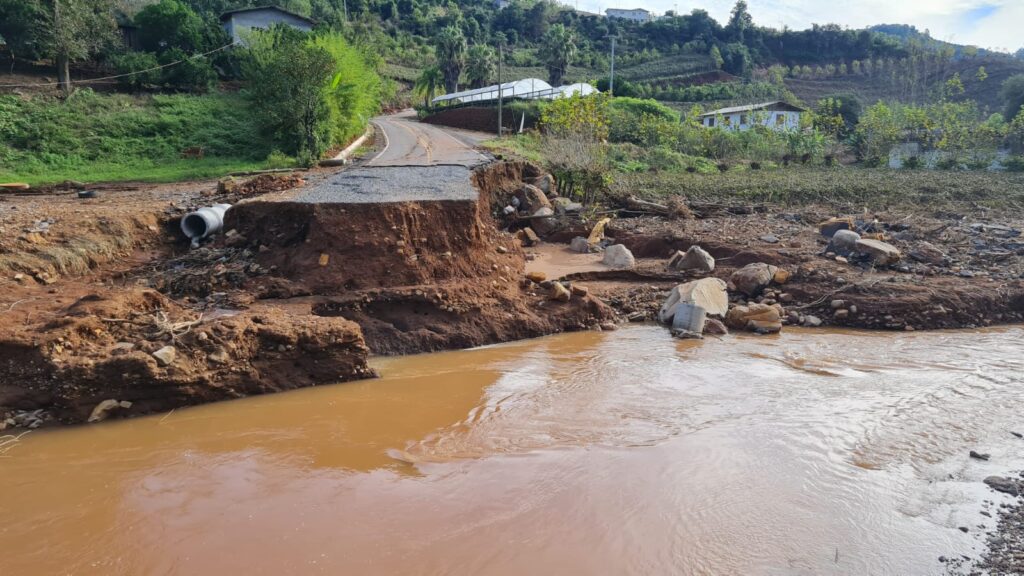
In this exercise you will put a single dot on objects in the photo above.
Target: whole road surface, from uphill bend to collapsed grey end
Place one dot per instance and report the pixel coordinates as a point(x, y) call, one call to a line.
point(418, 163)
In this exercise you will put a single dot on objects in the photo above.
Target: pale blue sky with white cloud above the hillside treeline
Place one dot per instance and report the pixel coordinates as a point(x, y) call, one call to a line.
point(990, 24)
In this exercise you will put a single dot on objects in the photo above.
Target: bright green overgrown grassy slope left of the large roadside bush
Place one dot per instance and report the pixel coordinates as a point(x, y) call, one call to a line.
point(93, 138)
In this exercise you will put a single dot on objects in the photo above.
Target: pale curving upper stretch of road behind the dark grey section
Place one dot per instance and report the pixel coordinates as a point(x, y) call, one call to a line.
point(409, 143)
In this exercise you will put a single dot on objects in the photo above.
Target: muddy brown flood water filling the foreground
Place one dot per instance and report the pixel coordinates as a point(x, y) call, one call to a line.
point(622, 452)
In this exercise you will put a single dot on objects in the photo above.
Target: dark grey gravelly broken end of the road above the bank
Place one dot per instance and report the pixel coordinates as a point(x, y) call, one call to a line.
point(393, 184)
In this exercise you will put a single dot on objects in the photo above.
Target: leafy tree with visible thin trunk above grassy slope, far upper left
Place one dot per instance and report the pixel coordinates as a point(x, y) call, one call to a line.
point(74, 30)
